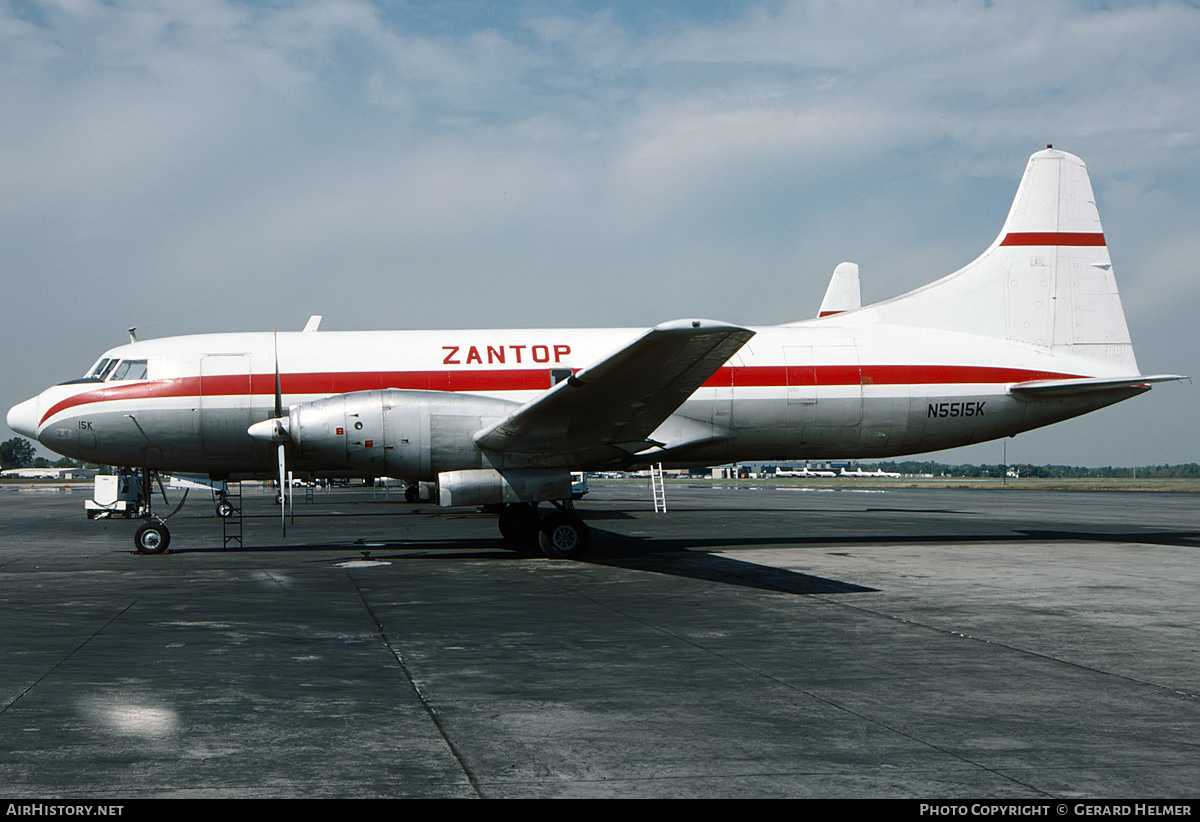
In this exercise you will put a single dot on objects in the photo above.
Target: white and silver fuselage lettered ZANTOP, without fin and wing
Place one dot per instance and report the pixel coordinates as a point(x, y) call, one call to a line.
point(808, 391)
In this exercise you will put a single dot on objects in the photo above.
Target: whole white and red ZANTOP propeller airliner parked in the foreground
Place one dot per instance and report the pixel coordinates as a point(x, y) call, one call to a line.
point(1029, 334)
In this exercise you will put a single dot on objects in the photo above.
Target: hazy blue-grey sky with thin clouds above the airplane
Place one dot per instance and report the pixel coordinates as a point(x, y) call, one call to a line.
point(233, 166)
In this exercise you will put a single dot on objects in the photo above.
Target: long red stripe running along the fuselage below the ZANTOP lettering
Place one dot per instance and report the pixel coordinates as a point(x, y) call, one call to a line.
point(537, 380)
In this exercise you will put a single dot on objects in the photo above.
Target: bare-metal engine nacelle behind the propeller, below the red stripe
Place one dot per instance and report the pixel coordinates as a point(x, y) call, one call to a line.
point(394, 433)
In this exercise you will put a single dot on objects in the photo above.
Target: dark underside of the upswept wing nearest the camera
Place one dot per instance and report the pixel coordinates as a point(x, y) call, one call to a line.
point(613, 406)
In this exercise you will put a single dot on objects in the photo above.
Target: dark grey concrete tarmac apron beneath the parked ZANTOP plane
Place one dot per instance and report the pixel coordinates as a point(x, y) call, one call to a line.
point(767, 641)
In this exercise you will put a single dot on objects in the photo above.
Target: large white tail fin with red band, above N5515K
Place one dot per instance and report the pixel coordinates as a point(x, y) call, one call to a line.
point(1046, 281)
